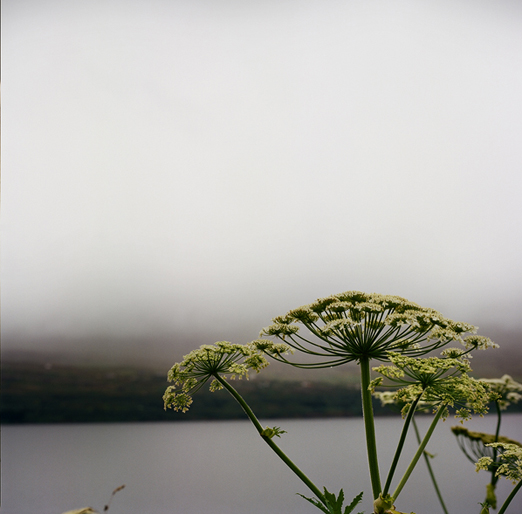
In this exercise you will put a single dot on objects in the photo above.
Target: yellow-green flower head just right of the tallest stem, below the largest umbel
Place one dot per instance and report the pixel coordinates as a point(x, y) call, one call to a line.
point(438, 381)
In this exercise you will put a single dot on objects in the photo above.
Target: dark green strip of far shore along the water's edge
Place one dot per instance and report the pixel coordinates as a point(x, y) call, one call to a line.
point(36, 393)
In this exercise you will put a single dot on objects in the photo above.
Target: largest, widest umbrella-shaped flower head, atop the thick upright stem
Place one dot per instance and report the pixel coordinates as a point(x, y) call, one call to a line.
point(354, 325)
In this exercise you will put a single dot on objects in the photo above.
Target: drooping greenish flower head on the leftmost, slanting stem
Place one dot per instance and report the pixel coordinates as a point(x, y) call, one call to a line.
point(225, 359)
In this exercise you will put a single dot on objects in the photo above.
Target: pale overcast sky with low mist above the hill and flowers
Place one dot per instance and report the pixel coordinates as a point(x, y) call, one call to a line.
point(176, 169)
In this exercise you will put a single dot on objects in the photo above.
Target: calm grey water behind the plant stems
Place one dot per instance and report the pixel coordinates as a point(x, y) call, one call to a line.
point(225, 467)
